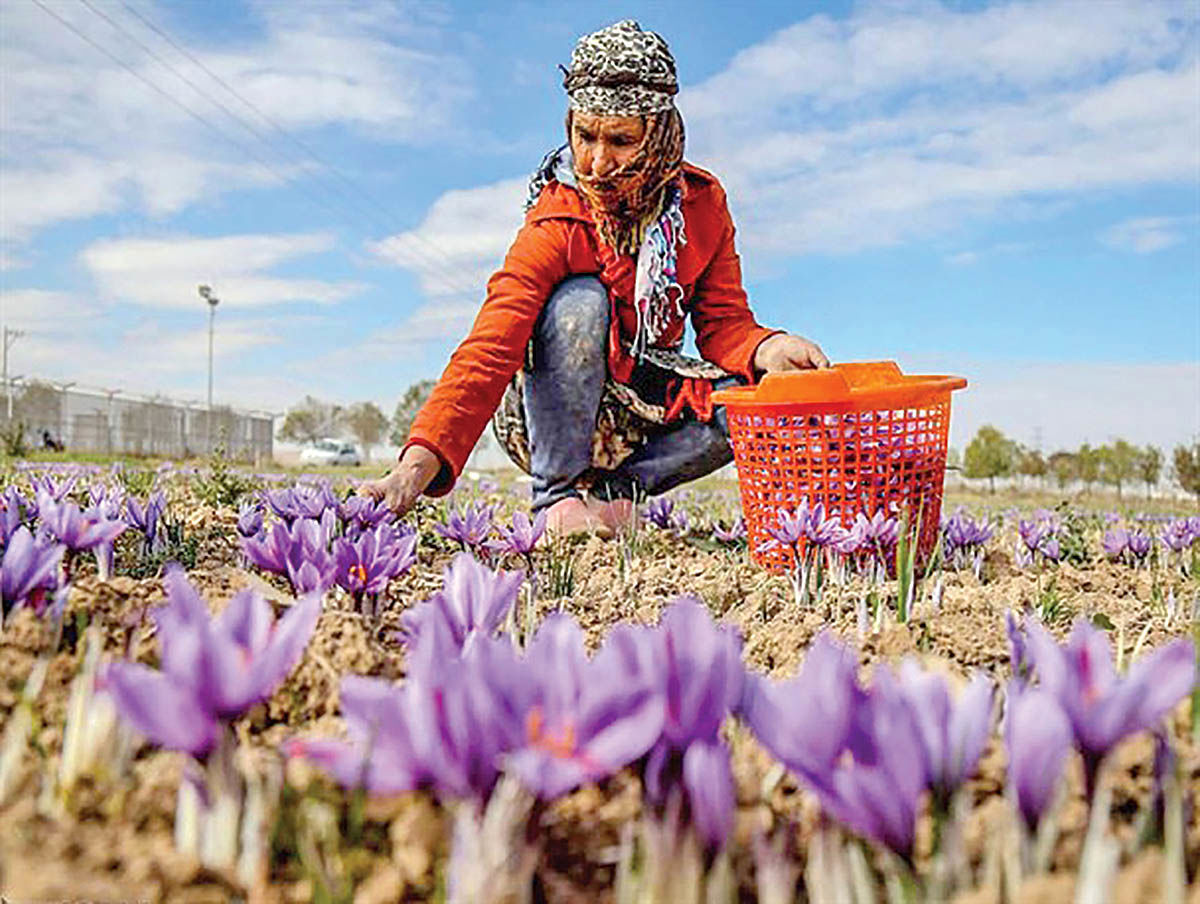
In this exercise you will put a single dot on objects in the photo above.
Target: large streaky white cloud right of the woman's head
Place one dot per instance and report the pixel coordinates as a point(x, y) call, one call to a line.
point(908, 121)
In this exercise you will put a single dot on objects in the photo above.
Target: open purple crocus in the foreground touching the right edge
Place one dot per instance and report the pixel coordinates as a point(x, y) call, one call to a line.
point(1103, 708)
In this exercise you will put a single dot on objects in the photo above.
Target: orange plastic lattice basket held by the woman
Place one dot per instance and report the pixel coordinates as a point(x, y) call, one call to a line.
point(859, 438)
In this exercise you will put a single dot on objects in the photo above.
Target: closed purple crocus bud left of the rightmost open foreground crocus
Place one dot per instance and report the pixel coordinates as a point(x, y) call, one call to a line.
point(1037, 740)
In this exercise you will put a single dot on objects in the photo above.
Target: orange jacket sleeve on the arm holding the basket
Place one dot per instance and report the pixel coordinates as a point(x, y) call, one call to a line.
point(727, 332)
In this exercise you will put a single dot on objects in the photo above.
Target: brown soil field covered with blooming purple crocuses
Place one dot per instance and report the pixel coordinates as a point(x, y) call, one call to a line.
point(274, 804)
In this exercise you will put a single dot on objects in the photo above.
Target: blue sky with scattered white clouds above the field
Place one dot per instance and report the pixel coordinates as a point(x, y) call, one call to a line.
point(1006, 191)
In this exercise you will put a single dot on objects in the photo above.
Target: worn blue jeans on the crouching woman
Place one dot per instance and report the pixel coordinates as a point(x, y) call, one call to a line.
point(562, 398)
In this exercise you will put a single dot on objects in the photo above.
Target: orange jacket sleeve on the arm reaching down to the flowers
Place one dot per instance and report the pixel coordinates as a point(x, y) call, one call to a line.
point(470, 390)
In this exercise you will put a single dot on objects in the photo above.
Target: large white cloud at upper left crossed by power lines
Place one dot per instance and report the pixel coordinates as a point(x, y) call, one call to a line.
point(105, 141)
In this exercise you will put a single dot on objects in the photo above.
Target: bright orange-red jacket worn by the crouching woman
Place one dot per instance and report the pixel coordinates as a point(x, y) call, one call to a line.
point(559, 241)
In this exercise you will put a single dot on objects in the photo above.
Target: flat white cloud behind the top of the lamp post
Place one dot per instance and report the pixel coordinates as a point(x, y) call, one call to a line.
point(165, 273)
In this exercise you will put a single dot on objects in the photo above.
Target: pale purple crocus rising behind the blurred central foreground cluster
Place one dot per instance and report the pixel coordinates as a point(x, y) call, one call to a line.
point(473, 602)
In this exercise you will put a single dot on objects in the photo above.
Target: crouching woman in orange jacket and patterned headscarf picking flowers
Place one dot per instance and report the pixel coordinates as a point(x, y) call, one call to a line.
point(575, 354)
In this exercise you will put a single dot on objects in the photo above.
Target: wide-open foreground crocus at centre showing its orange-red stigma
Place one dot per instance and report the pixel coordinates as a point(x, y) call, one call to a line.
point(585, 720)
